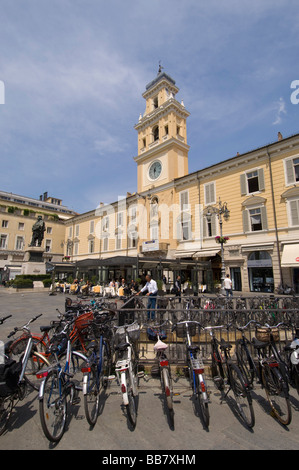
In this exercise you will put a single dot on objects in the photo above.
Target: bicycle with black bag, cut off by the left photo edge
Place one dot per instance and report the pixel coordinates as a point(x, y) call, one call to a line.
point(14, 376)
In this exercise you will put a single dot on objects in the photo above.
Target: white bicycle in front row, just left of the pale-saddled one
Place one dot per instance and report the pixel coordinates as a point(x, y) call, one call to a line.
point(126, 366)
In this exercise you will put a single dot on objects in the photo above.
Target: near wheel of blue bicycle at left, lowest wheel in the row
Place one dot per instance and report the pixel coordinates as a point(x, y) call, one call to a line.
point(53, 408)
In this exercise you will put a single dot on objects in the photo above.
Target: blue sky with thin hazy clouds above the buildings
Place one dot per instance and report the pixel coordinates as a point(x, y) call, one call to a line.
point(74, 72)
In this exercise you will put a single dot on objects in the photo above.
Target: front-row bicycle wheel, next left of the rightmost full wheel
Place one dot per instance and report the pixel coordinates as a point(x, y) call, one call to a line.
point(242, 396)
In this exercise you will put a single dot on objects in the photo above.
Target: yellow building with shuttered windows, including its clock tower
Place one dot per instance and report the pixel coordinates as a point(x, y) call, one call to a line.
point(170, 224)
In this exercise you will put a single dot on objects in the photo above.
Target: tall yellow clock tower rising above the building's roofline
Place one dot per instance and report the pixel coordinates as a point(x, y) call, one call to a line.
point(162, 135)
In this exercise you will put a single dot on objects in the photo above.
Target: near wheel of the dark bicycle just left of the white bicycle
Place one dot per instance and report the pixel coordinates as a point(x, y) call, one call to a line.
point(92, 395)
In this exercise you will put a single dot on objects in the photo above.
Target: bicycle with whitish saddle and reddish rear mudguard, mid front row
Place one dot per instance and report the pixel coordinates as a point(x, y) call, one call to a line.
point(156, 333)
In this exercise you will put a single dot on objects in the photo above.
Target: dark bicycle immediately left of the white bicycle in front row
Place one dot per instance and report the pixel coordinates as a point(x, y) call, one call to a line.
point(97, 372)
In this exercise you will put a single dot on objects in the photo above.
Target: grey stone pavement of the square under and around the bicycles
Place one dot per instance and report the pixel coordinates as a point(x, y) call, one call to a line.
point(152, 433)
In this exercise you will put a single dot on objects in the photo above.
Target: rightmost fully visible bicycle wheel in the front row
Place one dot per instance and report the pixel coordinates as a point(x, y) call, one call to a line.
point(277, 394)
